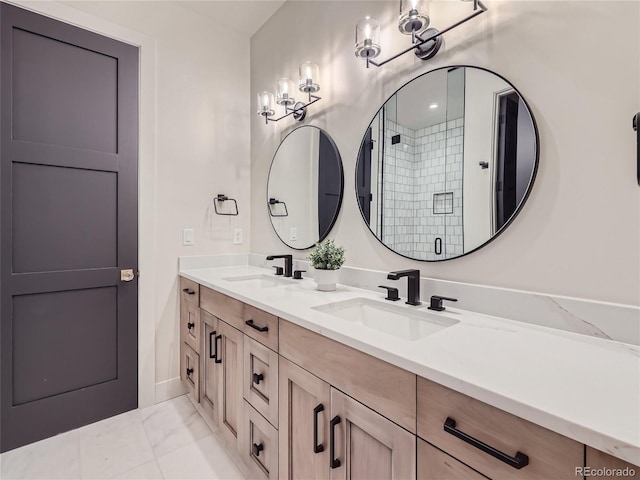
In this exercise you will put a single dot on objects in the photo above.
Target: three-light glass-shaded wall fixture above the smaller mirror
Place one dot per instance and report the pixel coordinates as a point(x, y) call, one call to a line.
point(309, 75)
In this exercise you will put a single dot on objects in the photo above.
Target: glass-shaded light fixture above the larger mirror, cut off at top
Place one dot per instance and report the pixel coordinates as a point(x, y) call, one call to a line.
point(414, 20)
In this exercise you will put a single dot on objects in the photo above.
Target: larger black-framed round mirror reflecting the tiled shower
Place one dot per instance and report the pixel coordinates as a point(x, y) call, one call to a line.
point(447, 163)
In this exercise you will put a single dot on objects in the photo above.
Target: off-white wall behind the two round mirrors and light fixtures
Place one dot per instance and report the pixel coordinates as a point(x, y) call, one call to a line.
point(578, 234)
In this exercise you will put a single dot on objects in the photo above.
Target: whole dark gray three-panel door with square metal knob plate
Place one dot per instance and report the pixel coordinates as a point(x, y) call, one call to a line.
point(68, 225)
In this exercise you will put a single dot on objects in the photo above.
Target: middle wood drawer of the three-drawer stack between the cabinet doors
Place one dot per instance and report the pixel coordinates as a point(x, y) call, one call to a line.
point(260, 379)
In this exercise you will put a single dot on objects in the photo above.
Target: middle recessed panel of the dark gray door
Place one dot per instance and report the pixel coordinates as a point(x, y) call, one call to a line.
point(51, 211)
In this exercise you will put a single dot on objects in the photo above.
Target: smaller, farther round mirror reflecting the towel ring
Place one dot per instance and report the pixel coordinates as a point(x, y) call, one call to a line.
point(304, 190)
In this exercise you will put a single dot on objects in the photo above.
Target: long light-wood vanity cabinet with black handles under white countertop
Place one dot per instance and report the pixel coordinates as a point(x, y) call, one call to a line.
point(294, 404)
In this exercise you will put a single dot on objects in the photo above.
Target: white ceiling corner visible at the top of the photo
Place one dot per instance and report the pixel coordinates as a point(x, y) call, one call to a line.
point(244, 16)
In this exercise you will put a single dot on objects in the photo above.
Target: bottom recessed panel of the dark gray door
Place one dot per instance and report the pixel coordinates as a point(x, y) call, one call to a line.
point(42, 324)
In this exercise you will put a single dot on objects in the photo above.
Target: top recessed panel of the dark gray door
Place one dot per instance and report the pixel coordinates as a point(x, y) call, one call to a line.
point(44, 85)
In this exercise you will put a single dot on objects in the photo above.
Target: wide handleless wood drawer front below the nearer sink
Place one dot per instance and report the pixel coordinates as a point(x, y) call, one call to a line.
point(383, 387)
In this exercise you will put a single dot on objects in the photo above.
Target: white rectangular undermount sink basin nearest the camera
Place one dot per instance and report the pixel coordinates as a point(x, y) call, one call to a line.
point(392, 320)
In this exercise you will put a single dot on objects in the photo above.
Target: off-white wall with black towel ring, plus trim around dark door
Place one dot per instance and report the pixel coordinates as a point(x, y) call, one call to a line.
point(199, 120)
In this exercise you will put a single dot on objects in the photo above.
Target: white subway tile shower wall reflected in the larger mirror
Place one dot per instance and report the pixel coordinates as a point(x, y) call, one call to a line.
point(424, 163)
